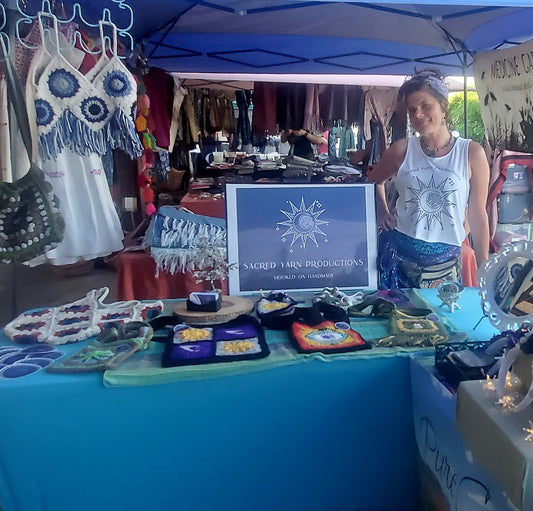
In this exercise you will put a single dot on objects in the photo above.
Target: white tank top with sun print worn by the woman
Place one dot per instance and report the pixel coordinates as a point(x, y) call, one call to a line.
point(433, 193)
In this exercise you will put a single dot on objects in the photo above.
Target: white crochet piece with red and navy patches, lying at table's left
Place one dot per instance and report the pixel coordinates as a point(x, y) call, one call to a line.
point(78, 320)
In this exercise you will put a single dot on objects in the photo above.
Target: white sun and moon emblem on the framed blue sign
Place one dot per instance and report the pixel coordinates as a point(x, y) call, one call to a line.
point(303, 223)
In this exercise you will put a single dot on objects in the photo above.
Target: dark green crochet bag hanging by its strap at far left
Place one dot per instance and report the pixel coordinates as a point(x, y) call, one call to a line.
point(30, 221)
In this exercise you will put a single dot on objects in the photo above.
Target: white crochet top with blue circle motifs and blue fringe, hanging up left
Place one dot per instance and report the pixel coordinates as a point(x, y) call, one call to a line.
point(91, 113)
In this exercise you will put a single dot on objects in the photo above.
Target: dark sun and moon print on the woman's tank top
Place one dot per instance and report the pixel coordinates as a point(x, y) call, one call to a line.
point(431, 201)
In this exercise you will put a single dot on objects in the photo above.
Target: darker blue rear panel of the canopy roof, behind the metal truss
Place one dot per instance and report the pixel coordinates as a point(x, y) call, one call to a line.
point(263, 53)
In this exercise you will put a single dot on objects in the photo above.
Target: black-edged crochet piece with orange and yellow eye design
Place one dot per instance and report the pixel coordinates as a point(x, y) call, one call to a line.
point(326, 337)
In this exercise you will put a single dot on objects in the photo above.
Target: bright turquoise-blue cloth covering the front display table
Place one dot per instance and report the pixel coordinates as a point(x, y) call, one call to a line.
point(325, 433)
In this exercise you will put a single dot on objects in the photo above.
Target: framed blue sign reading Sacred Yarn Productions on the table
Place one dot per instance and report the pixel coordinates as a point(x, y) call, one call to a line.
point(300, 237)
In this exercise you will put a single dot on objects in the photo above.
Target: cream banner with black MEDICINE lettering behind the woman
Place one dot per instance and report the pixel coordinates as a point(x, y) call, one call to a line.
point(504, 82)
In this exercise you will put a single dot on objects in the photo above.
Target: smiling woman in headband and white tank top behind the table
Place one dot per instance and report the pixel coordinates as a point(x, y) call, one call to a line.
point(442, 182)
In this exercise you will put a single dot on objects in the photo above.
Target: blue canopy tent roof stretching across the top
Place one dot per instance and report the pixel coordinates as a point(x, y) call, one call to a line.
point(297, 36)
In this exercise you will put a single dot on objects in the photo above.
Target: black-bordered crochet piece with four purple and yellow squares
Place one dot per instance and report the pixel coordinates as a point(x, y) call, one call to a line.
point(242, 338)
